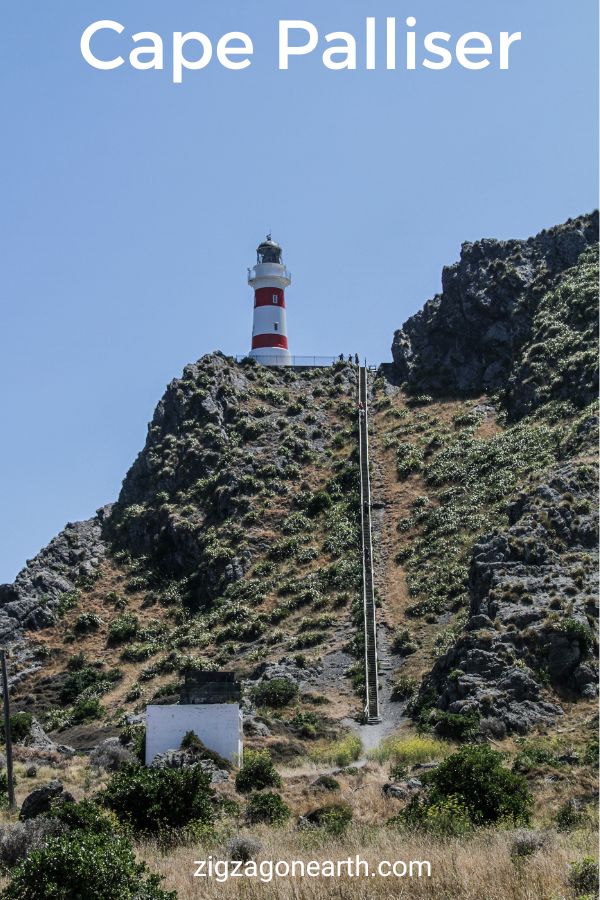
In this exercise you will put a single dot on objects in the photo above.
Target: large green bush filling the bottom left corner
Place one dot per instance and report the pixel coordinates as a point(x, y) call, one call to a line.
point(86, 866)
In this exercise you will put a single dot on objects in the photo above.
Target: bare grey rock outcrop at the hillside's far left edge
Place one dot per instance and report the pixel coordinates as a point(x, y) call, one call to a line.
point(31, 602)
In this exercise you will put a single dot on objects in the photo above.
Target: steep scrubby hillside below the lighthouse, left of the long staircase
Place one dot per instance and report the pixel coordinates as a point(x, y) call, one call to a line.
point(234, 543)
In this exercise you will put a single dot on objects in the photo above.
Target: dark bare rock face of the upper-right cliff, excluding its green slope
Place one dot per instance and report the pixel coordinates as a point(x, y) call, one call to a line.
point(471, 337)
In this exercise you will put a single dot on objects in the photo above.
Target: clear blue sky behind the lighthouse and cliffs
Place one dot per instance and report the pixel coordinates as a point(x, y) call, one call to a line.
point(131, 207)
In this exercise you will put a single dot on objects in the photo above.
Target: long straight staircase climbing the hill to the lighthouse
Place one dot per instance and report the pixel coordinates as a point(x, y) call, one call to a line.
point(372, 687)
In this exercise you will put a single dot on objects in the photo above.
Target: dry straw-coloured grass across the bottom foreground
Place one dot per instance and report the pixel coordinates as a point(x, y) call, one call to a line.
point(477, 868)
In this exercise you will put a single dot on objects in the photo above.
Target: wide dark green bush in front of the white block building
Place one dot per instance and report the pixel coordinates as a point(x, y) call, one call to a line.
point(151, 800)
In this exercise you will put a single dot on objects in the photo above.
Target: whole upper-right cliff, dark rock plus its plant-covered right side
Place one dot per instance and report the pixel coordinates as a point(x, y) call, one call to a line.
point(506, 309)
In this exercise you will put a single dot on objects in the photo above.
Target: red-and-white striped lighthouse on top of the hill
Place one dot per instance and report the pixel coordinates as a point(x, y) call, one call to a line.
point(269, 279)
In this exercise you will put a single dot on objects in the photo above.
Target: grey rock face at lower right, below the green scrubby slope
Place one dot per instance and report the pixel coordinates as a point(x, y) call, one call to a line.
point(534, 591)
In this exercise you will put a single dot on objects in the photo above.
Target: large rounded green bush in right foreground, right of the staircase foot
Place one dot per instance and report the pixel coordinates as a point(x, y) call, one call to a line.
point(475, 778)
